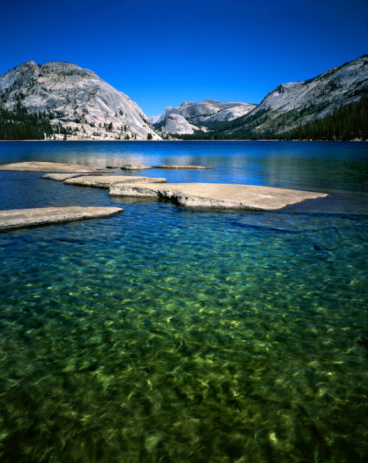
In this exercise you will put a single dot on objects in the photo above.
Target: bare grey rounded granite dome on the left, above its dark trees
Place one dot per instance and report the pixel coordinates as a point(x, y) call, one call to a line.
point(76, 100)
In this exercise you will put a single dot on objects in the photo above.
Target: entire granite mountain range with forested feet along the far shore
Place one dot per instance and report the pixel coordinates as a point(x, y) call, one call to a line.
point(63, 101)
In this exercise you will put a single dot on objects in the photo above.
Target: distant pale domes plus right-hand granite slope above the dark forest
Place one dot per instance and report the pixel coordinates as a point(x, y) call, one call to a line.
point(287, 107)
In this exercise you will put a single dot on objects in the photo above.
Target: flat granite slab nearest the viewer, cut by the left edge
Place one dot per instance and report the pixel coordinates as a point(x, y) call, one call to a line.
point(19, 218)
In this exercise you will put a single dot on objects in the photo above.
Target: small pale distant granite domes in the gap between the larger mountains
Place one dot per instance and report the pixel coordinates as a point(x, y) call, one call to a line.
point(196, 116)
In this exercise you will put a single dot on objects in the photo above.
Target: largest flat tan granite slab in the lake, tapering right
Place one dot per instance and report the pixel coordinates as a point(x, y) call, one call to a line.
point(219, 196)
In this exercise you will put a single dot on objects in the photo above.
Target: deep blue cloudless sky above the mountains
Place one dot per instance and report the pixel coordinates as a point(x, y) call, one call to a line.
point(161, 53)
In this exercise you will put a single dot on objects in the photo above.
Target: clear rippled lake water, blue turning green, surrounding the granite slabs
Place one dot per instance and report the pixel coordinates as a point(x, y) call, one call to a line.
point(175, 335)
